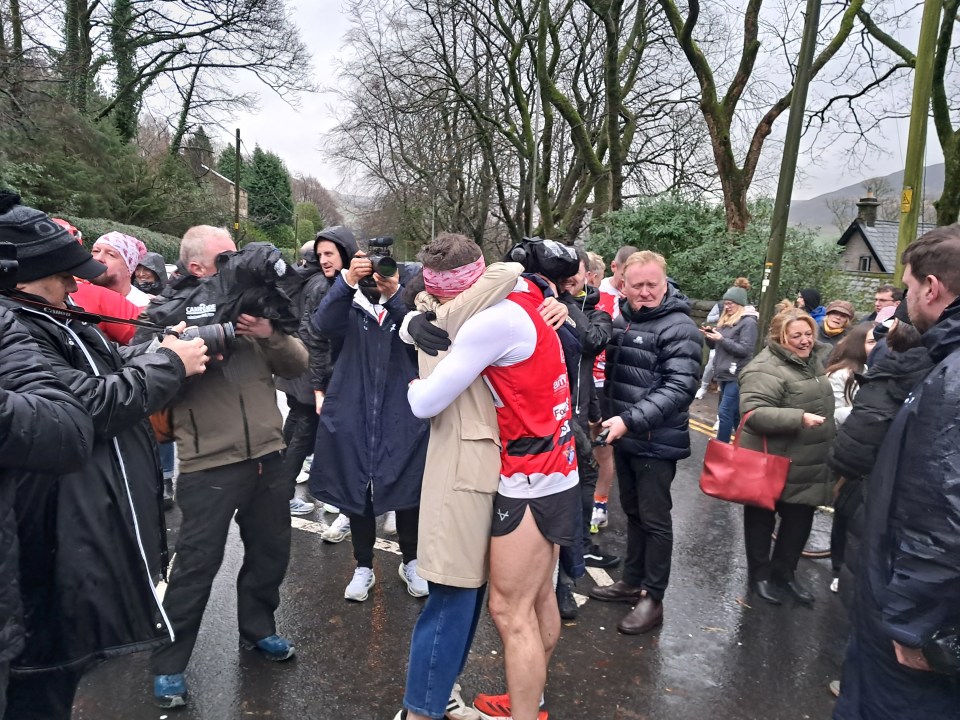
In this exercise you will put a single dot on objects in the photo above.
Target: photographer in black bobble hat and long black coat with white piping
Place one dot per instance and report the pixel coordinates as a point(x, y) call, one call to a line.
point(92, 539)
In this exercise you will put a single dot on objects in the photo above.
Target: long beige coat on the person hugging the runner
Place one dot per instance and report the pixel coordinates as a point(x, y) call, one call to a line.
point(462, 470)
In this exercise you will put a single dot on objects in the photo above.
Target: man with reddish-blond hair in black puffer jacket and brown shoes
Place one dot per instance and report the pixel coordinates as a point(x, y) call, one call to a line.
point(652, 374)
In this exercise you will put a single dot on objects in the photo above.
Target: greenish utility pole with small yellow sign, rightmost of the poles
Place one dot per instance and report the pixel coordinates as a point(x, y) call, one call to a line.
point(911, 199)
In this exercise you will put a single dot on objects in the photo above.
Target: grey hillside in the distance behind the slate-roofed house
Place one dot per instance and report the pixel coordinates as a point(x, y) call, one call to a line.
point(819, 211)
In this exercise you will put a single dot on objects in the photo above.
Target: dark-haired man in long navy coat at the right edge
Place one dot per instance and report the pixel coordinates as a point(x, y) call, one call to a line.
point(903, 658)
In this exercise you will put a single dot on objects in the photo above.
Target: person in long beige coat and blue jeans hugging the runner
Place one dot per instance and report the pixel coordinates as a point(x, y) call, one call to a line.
point(460, 481)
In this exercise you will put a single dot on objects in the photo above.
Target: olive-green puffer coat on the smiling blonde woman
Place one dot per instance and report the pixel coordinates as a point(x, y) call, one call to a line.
point(780, 387)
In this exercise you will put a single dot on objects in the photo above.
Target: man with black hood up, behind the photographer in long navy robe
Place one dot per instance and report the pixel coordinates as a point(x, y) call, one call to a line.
point(329, 253)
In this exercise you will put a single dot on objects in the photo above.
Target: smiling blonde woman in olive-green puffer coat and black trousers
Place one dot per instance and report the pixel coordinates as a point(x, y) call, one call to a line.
point(787, 401)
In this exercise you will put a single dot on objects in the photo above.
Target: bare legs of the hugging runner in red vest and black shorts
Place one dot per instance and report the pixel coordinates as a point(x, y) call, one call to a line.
point(521, 568)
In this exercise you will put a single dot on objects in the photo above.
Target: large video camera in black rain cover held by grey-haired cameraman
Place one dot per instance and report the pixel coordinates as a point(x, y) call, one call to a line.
point(254, 280)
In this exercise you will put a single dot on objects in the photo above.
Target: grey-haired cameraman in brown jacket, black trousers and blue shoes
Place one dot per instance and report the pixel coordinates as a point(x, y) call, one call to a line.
point(229, 438)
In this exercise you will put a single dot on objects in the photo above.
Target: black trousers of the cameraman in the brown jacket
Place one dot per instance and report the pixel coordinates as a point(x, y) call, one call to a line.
point(260, 495)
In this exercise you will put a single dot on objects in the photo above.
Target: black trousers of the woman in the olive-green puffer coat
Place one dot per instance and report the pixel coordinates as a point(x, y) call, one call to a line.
point(758, 525)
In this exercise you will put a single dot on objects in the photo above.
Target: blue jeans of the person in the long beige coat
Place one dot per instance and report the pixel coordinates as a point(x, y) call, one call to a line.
point(440, 646)
